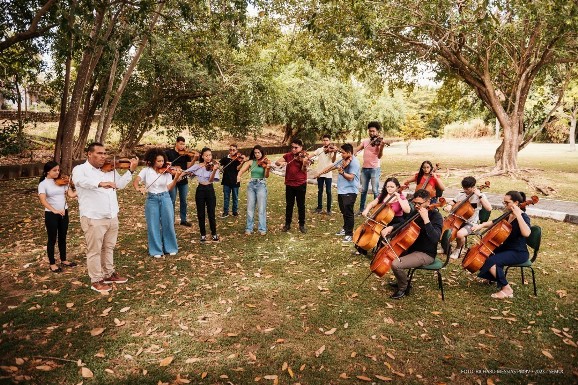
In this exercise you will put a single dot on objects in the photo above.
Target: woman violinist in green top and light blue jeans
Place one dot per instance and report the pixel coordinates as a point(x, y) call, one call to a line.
point(258, 167)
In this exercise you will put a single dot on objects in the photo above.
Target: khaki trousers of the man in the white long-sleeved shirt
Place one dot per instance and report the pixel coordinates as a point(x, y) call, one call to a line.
point(100, 235)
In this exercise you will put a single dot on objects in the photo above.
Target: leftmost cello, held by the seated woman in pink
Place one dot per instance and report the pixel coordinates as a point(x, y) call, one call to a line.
point(368, 233)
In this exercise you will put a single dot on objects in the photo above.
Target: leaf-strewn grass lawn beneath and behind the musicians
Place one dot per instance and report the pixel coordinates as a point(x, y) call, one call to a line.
point(283, 308)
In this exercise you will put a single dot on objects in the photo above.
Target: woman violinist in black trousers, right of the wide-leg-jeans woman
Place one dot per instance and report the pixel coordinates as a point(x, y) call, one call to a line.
point(206, 172)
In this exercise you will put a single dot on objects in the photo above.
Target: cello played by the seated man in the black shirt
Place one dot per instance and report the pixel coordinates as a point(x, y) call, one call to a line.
point(403, 238)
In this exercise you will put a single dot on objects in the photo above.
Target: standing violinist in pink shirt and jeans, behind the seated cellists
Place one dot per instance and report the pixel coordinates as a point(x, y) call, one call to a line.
point(372, 152)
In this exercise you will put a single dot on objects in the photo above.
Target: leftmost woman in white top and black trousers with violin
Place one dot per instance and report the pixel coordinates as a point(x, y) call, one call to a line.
point(53, 198)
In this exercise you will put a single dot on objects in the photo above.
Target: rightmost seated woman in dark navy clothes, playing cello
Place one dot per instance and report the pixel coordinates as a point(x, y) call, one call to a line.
point(513, 250)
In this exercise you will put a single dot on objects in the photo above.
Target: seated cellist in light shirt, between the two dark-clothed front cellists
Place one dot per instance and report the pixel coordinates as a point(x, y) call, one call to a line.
point(478, 200)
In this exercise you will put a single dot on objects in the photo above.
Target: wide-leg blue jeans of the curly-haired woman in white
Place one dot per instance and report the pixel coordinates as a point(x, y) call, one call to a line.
point(160, 217)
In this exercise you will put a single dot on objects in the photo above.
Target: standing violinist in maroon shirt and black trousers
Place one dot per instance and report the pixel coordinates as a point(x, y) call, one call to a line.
point(296, 163)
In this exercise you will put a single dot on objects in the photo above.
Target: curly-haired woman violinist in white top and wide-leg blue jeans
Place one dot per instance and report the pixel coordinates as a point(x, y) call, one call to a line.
point(159, 210)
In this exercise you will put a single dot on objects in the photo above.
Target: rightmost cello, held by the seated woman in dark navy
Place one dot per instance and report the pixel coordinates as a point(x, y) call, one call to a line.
point(491, 239)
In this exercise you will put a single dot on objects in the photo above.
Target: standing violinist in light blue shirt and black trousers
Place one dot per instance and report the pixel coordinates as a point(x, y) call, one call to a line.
point(347, 187)
